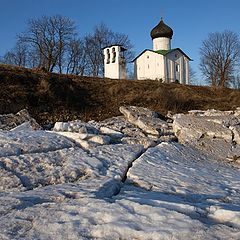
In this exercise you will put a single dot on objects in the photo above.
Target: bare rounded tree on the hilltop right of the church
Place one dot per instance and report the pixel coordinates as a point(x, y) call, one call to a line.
point(220, 54)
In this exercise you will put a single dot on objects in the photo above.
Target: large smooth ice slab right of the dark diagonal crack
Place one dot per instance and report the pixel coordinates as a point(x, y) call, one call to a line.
point(186, 185)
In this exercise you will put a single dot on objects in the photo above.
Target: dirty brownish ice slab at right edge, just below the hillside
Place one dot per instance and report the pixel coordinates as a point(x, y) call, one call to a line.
point(213, 132)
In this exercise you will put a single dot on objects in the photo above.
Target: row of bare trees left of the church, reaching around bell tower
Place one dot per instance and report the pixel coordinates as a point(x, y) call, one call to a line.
point(54, 44)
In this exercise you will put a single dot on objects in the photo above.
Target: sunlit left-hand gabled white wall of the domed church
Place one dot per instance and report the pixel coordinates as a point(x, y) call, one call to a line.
point(150, 65)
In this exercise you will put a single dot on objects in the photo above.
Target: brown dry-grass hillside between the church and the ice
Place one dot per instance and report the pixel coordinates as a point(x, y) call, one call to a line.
point(53, 97)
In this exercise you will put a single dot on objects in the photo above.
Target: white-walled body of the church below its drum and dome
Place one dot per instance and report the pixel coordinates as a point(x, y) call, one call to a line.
point(170, 67)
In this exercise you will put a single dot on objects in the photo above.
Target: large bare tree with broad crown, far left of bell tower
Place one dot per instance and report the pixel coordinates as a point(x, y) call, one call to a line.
point(48, 38)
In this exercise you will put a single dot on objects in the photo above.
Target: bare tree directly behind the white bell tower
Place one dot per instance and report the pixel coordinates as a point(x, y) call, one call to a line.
point(94, 44)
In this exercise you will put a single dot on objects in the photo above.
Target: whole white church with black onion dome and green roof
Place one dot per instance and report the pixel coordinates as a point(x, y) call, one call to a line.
point(162, 63)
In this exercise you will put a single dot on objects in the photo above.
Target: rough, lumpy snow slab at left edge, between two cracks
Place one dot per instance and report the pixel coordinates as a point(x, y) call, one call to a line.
point(41, 169)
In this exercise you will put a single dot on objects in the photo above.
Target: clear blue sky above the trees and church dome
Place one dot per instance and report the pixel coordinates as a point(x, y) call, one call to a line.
point(191, 20)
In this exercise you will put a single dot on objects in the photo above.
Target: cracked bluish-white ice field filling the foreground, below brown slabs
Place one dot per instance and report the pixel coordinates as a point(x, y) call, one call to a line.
point(70, 184)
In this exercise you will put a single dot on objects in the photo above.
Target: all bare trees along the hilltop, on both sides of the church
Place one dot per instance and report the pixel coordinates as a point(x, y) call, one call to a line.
point(53, 43)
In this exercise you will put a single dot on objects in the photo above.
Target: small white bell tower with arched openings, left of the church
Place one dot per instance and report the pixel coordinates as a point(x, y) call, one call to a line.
point(114, 62)
